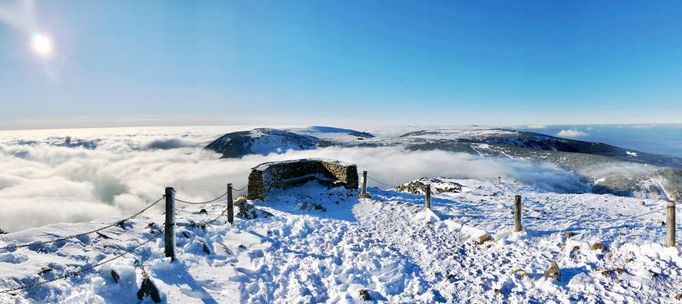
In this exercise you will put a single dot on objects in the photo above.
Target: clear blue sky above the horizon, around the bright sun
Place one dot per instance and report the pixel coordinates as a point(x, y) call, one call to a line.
point(344, 63)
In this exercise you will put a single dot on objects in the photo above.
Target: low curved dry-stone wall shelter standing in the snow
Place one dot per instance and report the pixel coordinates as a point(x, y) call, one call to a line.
point(284, 174)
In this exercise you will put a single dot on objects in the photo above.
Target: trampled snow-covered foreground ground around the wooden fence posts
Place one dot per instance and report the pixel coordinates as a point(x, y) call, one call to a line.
point(324, 245)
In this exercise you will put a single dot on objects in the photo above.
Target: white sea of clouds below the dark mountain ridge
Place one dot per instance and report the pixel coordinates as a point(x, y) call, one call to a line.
point(56, 176)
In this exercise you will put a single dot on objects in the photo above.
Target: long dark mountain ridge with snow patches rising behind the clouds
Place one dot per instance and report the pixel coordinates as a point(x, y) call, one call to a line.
point(608, 169)
